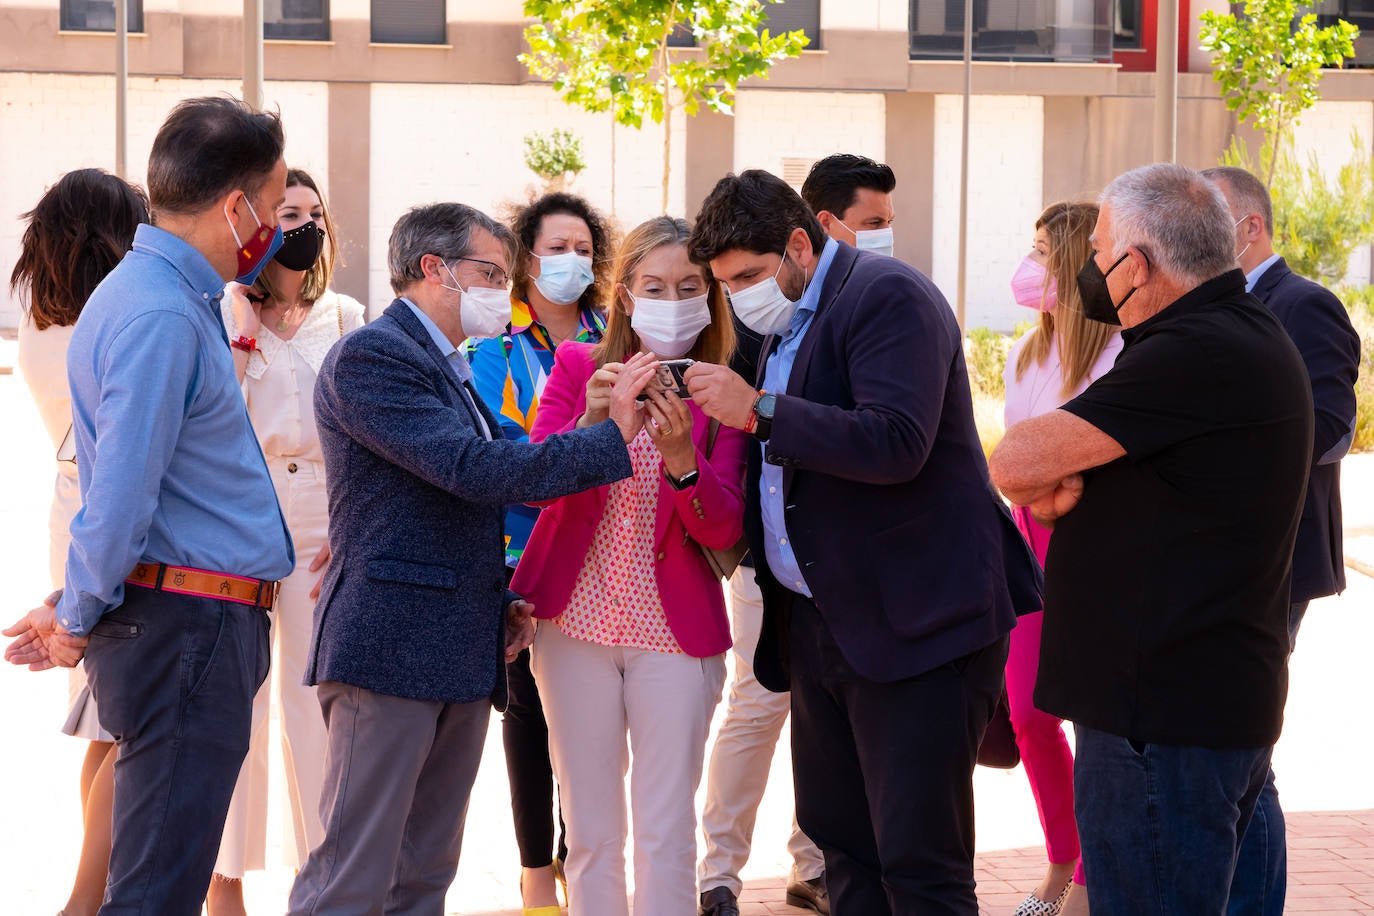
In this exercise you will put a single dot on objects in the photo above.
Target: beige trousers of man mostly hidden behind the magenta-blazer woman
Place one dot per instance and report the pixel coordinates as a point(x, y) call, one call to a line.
point(743, 756)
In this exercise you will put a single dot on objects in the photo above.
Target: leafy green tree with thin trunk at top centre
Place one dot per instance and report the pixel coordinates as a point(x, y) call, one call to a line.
point(613, 56)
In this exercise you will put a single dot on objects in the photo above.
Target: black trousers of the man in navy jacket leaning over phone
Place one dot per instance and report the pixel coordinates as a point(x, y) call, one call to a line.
point(884, 774)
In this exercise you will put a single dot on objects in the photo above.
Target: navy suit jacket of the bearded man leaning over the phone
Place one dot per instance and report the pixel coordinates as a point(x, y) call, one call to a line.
point(910, 556)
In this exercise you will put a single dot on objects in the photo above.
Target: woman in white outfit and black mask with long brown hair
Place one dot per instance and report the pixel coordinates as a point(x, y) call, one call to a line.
point(281, 329)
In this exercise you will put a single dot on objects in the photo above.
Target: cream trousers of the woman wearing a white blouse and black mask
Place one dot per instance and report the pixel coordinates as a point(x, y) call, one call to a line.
point(304, 740)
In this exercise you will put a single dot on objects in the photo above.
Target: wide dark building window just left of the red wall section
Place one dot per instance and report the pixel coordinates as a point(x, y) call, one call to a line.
point(1077, 31)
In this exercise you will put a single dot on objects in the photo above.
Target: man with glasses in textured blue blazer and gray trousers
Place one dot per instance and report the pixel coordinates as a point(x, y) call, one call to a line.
point(414, 623)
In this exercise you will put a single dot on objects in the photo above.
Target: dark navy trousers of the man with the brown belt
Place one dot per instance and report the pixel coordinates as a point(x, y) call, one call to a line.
point(174, 679)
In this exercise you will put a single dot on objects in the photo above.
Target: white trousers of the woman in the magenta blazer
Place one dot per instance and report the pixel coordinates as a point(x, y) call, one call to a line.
point(593, 696)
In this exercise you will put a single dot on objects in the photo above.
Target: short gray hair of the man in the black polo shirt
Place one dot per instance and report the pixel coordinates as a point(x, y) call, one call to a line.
point(1177, 218)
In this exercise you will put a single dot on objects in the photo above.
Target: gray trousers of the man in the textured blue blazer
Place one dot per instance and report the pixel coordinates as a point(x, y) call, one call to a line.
point(398, 779)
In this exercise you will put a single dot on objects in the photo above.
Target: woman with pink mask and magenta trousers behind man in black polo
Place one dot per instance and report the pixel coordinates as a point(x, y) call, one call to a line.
point(1048, 367)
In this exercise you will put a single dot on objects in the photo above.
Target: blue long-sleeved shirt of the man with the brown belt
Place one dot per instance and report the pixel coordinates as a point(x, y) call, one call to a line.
point(170, 468)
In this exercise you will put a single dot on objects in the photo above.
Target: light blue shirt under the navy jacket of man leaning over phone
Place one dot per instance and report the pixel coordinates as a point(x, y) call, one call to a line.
point(782, 562)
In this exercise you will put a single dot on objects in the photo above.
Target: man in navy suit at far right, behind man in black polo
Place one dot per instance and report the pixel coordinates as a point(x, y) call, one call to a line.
point(1331, 350)
